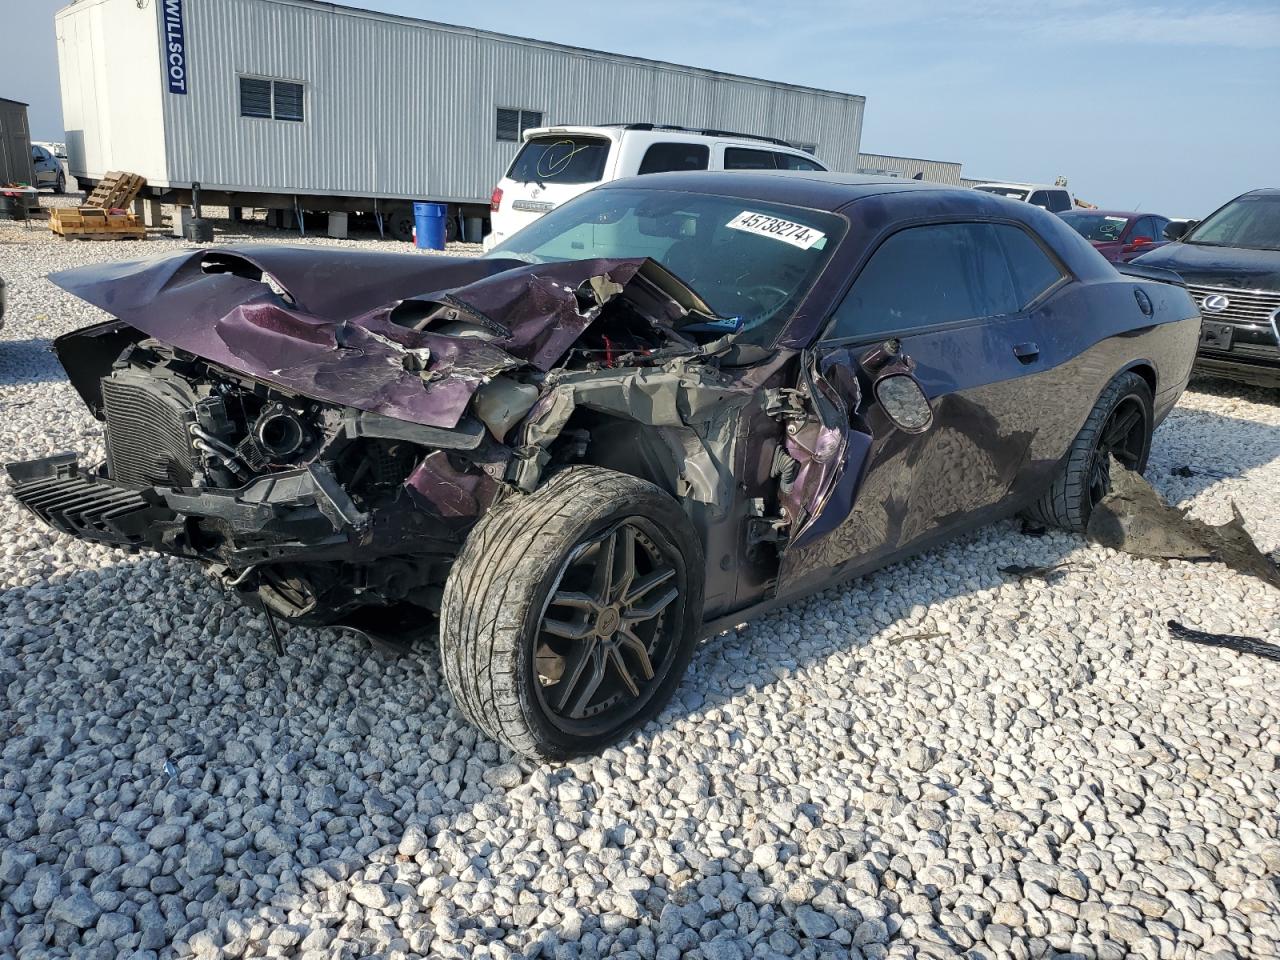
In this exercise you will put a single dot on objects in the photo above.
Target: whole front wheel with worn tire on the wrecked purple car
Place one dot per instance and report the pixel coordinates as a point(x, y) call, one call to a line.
point(570, 616)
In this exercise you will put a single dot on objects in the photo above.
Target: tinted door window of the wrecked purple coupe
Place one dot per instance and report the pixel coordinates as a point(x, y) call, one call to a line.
point(929, 276)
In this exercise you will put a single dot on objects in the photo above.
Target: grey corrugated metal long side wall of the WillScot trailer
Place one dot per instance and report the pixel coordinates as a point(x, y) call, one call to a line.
point(406, 109)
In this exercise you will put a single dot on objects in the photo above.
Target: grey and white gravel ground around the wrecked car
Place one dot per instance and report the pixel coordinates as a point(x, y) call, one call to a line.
point(935, 761)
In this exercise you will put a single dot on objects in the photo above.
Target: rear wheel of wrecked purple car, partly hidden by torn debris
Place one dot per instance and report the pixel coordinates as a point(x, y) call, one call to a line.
point(1121, 426)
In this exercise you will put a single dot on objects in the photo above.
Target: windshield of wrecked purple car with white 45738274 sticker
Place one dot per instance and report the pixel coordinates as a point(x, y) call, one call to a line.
point(752, 262)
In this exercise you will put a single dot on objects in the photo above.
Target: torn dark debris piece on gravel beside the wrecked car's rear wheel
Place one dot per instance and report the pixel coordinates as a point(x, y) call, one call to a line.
point(1137, 520)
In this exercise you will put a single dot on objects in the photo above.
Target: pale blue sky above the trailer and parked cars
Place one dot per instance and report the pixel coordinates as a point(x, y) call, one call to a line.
point(1173, 106)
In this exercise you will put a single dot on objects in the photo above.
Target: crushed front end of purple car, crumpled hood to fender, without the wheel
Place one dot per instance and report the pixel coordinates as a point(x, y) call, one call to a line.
point(414, 418)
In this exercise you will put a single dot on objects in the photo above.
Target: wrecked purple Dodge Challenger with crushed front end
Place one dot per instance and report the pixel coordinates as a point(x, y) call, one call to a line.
point(661, 409)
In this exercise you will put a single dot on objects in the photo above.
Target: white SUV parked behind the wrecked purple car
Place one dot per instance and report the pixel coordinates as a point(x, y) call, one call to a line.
point(559, 163)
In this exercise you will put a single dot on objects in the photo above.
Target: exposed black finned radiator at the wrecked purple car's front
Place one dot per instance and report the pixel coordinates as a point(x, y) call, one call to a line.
point(148, 442)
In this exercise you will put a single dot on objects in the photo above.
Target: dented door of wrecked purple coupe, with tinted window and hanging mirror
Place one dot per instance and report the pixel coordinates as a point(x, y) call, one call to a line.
point(938, 314)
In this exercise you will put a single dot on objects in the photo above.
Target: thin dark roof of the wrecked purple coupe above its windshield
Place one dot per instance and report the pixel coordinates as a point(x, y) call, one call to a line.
point(819, 190)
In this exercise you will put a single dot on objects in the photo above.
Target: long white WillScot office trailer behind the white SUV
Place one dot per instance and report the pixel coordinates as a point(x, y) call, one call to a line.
point(304, 106)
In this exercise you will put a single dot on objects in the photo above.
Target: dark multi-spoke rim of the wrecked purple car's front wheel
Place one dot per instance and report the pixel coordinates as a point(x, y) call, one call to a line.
point(602, 633)
